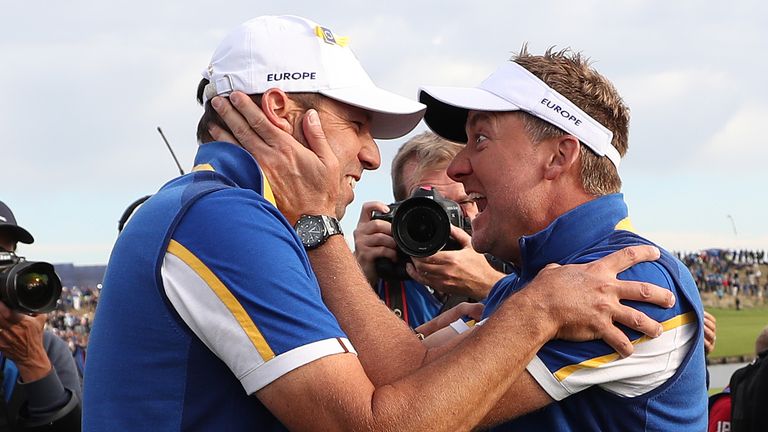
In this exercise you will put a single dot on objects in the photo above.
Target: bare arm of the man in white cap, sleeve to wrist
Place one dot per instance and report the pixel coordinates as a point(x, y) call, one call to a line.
point(452, 393)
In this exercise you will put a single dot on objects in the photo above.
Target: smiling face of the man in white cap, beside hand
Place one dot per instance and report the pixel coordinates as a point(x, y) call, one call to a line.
point(348, 132)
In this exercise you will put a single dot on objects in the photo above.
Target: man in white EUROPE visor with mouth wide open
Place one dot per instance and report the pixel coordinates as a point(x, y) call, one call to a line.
point(544, 136)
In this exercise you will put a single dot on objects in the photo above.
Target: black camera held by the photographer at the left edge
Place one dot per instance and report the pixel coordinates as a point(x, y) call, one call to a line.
point(28, 286)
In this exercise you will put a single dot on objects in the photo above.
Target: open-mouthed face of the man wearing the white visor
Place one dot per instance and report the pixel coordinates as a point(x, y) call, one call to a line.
point(502, 166)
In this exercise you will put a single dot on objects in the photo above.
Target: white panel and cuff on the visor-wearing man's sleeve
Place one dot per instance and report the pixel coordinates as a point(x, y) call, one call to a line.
point(653, 362)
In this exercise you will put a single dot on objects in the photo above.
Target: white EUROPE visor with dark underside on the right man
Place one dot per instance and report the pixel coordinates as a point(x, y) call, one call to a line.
point(513, 88)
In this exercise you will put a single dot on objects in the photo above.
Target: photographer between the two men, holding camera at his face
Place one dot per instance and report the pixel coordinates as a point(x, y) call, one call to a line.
point(436, 282)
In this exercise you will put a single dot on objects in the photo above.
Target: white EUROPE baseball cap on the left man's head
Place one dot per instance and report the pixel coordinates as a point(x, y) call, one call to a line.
point(297, 55)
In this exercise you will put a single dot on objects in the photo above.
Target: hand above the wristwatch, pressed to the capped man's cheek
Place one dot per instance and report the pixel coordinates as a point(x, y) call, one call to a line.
point(304, 179)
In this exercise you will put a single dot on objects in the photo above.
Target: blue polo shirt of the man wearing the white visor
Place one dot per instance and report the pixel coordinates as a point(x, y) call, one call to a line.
point(661, 387)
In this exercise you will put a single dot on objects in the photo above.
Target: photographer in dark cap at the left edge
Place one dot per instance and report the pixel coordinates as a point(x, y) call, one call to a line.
point(40, 385)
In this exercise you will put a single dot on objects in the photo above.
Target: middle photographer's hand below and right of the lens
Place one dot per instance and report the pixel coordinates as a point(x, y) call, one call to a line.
point(463, 271)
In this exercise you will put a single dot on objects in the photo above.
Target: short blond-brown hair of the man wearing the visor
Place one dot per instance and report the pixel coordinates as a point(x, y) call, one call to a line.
point(571, 75)
